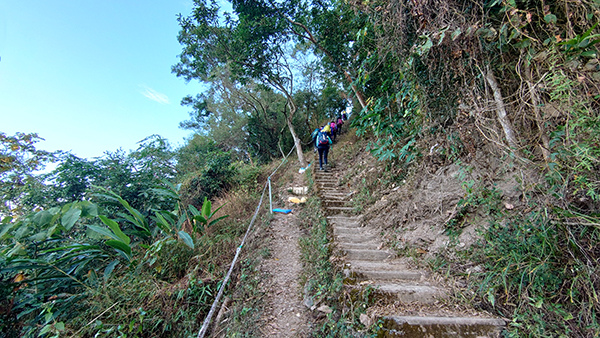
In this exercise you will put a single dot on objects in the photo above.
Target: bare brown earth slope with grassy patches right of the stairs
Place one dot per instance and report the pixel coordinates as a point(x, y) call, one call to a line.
point(473, 227)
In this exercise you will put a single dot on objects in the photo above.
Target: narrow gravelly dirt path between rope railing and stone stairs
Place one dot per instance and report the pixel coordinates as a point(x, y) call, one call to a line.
point(287, 316)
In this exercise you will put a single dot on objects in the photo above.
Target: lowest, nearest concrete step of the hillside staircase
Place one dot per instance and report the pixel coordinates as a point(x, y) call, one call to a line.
point(412, 326)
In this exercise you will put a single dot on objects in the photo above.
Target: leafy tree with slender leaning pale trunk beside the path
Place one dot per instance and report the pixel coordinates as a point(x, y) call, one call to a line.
point(252, 41)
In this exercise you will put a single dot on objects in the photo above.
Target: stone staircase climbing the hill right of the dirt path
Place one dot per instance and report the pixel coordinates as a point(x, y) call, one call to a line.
point(367, 262)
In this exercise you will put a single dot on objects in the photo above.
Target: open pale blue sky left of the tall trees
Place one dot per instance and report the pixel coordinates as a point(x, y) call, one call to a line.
point(91, 76)
